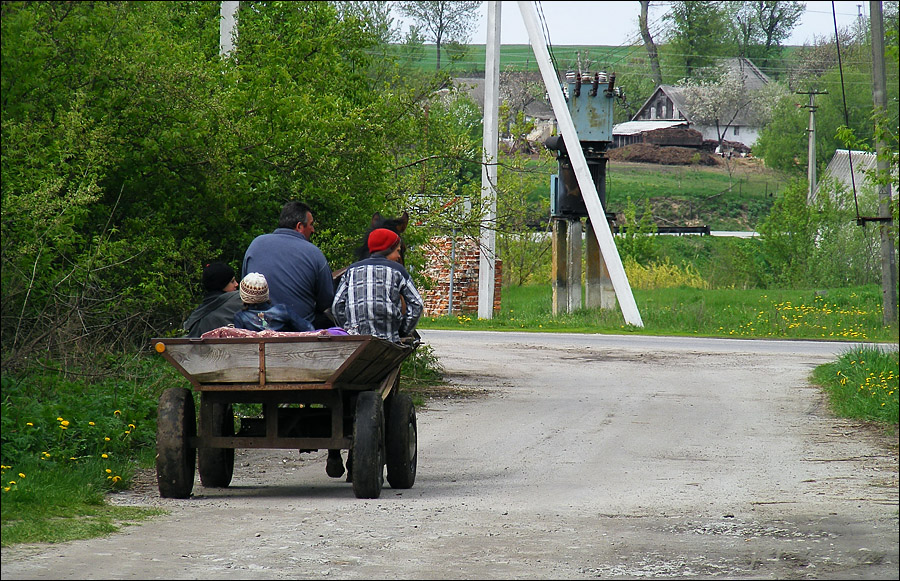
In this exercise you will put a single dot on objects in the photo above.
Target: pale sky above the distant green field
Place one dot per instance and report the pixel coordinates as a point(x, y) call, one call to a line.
point(616, 23)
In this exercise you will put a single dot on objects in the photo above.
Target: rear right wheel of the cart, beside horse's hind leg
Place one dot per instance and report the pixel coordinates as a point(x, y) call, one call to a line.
point(367, 448)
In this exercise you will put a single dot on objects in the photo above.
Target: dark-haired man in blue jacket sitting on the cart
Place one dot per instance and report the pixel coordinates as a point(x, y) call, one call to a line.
point(296, 270)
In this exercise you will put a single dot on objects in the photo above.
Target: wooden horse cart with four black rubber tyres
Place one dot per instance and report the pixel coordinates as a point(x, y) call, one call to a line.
point(317, 391)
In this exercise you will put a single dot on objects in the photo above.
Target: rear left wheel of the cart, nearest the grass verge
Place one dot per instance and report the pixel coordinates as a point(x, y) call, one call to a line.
point(176, 425)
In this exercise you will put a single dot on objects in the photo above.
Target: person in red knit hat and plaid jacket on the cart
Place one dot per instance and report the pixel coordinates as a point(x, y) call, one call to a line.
point(369, 299)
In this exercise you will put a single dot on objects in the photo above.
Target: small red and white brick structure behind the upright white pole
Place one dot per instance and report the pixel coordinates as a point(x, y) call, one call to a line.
point(465, 276)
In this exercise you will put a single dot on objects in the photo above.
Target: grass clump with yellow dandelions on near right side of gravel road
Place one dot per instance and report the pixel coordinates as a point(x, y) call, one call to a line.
point(863, 383)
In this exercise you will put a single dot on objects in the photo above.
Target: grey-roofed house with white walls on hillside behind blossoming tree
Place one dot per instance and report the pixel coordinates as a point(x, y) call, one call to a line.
point(668, 104)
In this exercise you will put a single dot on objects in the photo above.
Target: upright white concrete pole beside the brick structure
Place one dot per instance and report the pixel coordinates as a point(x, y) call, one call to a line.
point(491, 133)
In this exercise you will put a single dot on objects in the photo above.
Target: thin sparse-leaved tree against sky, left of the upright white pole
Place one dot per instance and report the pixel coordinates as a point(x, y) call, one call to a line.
point(442, 20)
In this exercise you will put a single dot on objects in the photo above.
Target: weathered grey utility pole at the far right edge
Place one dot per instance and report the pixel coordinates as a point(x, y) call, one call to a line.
point(885, 225)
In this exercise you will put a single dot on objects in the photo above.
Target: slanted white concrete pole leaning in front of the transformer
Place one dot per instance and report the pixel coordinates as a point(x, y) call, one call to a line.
point(595, 209)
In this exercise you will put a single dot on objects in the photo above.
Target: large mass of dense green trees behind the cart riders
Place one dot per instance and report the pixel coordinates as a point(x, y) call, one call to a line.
point(133, 153)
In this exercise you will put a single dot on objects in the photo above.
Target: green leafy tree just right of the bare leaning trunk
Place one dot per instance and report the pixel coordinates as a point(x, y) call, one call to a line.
point(700, 31)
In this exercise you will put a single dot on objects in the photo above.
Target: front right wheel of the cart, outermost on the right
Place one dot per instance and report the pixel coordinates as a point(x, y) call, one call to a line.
point(402, 450)
